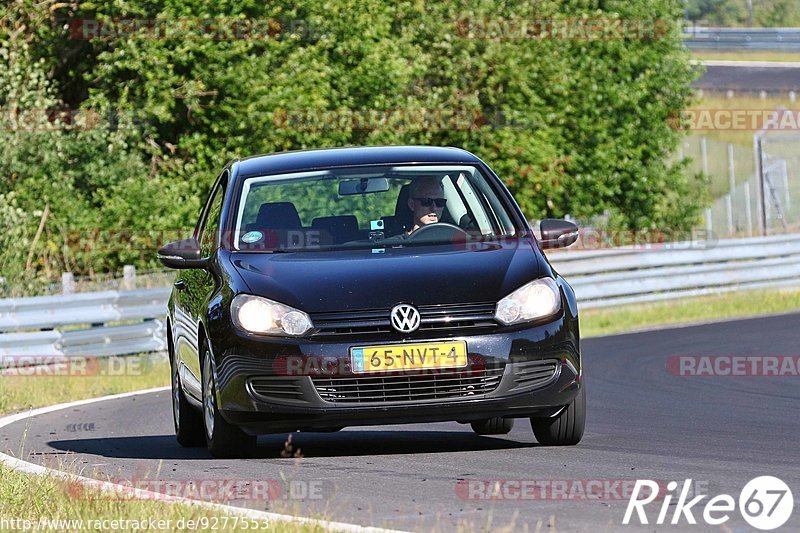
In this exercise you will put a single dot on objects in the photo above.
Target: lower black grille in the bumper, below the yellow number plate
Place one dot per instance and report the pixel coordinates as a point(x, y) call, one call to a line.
point(387, 388)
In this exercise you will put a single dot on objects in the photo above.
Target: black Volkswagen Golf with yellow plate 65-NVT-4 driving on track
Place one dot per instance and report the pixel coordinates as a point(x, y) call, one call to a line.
point(365, 286)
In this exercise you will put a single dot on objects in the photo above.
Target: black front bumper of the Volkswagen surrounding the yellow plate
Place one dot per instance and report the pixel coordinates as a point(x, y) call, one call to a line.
point(262, 391)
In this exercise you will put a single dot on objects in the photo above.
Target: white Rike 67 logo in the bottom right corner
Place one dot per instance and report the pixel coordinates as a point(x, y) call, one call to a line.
point(765, 503)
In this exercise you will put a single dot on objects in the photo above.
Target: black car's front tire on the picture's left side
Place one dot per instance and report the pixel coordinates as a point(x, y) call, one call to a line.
point(223, 440)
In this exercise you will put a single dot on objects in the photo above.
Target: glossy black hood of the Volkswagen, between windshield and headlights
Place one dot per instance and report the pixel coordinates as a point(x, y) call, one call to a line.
point(325, 281)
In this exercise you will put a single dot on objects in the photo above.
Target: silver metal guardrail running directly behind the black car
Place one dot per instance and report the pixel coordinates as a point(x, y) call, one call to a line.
point(45, 326)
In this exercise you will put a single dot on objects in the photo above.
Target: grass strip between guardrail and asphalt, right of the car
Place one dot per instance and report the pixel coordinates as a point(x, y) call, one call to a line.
point(597, 322)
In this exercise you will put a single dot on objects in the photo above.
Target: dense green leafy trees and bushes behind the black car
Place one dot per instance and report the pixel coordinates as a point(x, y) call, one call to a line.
point(573, 126)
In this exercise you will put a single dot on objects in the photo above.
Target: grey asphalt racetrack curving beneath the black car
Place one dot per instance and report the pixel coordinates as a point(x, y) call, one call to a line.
point(643, 423)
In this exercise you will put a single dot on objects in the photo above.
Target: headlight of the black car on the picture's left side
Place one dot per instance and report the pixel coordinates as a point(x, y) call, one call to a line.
point(265, 317)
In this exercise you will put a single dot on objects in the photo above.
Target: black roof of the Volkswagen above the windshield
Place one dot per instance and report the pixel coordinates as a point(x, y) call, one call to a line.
point(343, 157)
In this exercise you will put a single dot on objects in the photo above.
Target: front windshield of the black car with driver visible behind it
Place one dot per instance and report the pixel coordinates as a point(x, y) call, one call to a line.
point(369, 207)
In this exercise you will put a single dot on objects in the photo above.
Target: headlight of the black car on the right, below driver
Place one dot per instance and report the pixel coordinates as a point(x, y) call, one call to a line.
point(537, 299)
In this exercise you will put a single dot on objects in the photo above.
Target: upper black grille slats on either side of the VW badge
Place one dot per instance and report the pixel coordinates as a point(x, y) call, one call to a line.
point(432, 318)
